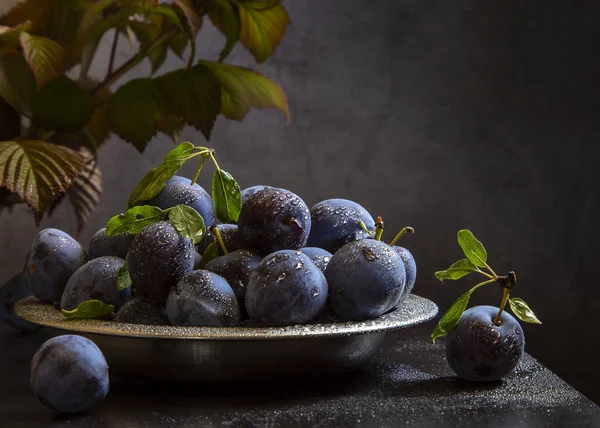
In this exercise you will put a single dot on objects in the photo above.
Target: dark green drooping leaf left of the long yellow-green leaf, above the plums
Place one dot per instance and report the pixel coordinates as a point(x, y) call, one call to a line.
point(137, 111)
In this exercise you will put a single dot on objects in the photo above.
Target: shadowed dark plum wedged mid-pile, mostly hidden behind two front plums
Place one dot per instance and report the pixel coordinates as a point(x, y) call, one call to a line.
point(236, 268)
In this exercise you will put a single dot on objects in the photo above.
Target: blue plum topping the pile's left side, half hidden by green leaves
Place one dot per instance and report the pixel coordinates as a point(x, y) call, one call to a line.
point(178, 191)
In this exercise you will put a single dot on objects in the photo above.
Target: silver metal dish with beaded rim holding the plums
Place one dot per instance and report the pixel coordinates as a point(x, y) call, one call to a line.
point(232, 353)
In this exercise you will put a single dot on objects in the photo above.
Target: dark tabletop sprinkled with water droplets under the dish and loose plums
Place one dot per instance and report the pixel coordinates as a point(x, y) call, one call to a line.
point(407, 384)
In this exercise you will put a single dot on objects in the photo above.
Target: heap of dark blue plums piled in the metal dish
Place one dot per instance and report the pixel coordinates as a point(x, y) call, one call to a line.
point(281, 264)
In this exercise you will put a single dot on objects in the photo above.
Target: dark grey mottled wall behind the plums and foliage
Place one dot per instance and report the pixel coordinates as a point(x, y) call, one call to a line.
point(436, 114)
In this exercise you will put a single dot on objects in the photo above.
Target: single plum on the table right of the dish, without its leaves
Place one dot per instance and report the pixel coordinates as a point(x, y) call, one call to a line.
point(478, 350)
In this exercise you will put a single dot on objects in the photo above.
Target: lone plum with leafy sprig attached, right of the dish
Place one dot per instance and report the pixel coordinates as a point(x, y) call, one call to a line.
point(484, 343)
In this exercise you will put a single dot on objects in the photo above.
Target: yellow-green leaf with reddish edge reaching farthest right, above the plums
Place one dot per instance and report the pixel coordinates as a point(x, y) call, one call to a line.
point(243, 89)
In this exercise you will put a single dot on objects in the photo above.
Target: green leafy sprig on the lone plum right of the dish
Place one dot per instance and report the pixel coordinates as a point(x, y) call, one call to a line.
point(476, 262)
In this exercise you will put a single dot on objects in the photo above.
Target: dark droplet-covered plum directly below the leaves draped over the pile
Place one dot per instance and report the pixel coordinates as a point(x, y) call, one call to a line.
point(158, 258)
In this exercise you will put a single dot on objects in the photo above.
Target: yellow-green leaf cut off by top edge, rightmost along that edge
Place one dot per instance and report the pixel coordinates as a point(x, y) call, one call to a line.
point(262, 27)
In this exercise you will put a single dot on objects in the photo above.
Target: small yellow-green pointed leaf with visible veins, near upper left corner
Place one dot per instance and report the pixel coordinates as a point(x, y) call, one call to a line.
point(45, 57)
